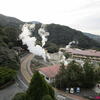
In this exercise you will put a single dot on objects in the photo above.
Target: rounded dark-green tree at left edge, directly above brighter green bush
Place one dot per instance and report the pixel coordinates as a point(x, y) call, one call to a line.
point(8, 58)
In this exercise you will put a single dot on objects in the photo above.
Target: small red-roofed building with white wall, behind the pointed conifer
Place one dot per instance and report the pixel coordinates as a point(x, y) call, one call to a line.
point(50, 72)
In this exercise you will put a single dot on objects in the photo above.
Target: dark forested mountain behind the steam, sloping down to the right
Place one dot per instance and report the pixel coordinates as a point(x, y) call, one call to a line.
point(62, 35)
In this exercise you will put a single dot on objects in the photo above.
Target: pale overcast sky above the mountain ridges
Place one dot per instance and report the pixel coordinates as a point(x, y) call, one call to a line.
point(82, 15)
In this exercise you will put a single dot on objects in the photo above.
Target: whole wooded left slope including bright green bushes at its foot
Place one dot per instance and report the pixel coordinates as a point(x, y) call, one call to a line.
point(9, 60)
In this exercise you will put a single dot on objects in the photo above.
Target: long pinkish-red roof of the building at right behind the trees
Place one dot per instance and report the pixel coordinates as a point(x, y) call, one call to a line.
point(84, 52)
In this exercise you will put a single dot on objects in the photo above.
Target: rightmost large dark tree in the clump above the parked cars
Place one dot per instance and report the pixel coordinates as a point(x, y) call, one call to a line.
point(89, 75)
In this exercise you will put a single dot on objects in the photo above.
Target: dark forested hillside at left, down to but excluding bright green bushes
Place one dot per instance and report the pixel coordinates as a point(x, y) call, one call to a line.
point(9, 31)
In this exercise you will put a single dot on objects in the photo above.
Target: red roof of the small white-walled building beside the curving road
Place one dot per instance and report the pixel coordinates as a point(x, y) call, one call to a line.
point(50, 71)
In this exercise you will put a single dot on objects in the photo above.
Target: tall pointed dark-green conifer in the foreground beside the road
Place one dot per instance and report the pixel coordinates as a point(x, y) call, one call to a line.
point(38, 86)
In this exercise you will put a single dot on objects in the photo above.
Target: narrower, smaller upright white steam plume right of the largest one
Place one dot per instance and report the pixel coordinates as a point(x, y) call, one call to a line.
point(43, 34)
